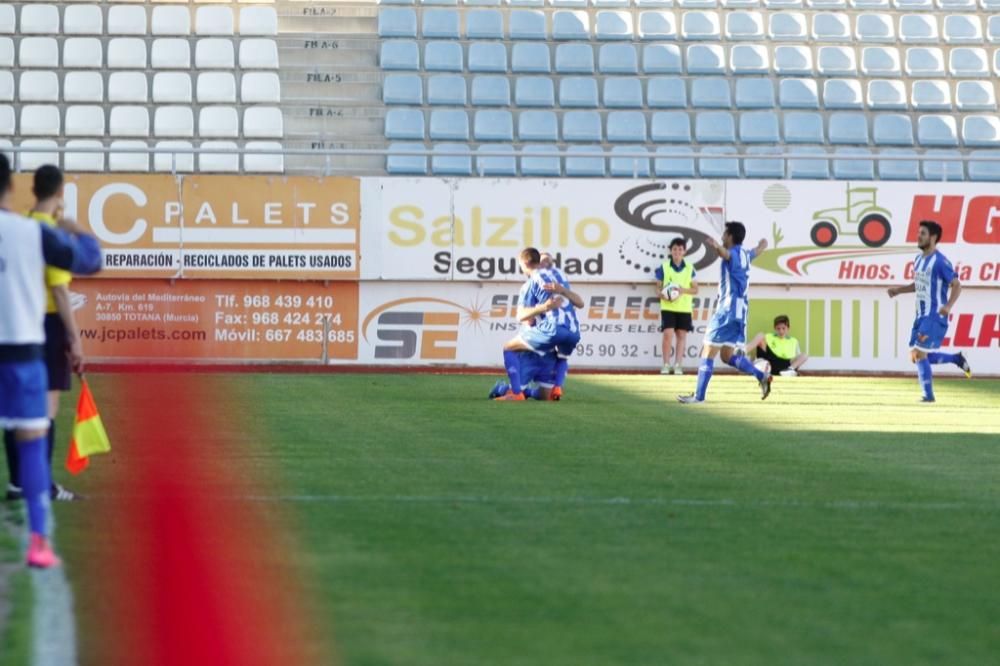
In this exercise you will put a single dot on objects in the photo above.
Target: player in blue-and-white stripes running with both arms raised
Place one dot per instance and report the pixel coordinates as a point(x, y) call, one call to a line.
point(726, 333)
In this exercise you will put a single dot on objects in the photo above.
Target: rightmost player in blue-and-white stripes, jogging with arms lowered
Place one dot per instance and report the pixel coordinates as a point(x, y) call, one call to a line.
point(937, 288)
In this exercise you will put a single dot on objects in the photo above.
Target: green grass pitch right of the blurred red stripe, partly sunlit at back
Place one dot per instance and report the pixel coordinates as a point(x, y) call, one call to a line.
point(839, 522)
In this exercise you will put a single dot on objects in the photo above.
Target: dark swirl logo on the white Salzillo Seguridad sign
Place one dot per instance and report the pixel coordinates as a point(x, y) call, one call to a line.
point(668, 211)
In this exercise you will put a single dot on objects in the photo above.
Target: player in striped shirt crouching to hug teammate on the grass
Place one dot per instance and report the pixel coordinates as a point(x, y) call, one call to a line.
point(555, 323)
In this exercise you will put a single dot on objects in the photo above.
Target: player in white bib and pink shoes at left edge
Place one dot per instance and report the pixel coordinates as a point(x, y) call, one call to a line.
point(26, 247)
